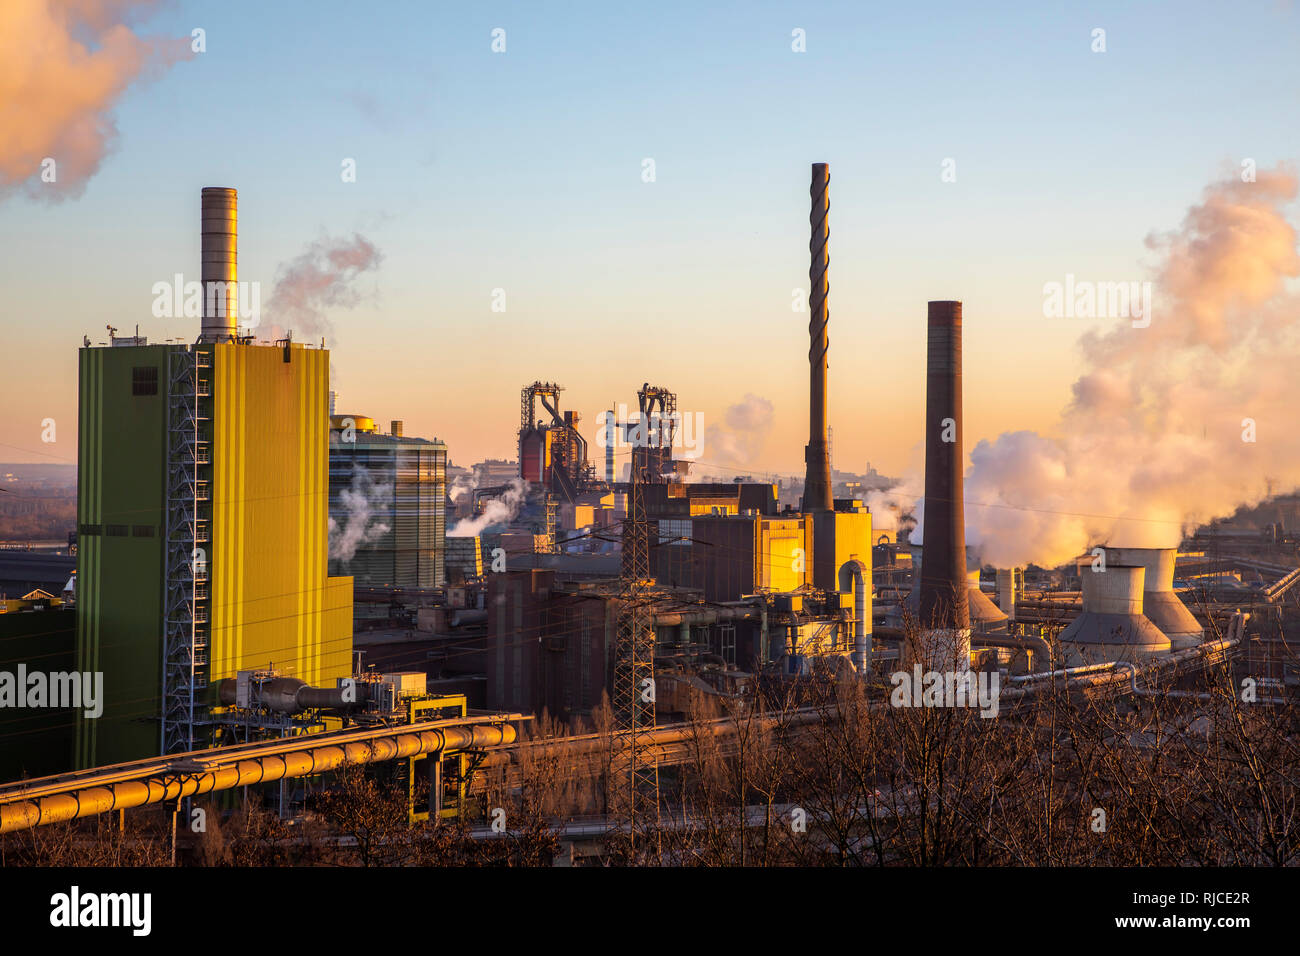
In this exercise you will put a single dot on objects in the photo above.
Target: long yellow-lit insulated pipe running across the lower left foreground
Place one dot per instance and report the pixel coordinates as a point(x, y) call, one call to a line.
point(189, 778)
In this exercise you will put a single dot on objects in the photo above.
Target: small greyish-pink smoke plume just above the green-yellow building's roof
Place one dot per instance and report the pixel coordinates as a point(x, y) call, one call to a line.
point(322, 276)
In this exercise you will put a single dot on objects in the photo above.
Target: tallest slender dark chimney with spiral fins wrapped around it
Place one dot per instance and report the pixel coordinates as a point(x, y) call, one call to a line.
point(817, 482)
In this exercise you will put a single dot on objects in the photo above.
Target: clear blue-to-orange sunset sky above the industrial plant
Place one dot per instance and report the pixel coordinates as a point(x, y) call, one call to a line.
point(525, 171)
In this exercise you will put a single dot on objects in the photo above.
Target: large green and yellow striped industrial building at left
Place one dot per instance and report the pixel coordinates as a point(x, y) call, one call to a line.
point(257, 591)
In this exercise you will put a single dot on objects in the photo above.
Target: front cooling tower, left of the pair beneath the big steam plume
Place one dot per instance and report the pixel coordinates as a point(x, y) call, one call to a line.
point(1112, 626)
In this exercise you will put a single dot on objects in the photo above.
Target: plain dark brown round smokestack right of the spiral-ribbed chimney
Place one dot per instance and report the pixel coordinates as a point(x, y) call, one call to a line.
point(943, 603)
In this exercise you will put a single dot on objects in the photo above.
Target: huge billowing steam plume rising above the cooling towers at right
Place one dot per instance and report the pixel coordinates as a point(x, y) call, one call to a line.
point(1175, 425)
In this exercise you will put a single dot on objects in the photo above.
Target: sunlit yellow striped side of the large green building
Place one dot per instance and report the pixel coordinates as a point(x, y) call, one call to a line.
point(272, 603)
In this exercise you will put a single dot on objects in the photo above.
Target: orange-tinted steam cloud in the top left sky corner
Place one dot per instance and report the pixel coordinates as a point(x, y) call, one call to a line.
point(67, 63)
